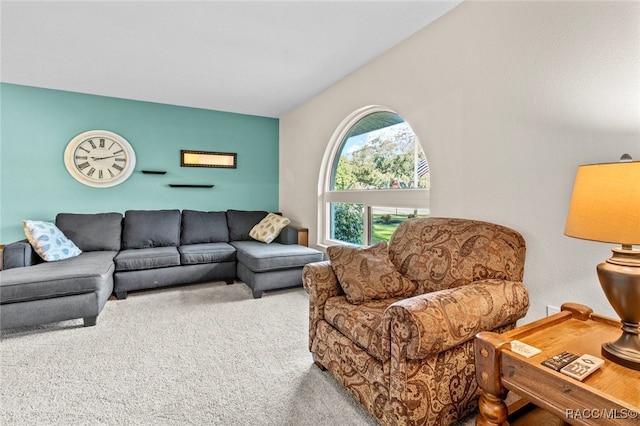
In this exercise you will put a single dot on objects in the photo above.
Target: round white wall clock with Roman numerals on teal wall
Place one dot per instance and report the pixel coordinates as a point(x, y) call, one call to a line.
point(99, 158)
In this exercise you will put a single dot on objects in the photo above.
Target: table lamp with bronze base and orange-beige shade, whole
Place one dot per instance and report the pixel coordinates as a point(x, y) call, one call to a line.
point(605, 207)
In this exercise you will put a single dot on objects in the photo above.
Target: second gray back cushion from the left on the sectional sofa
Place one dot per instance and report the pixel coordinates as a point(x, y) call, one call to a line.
point(151, 228)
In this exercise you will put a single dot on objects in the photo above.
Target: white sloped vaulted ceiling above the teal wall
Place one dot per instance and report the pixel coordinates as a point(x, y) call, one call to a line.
point(252, 57)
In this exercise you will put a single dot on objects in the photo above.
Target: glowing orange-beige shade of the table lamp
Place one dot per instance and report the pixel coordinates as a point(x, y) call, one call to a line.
point(605, 205)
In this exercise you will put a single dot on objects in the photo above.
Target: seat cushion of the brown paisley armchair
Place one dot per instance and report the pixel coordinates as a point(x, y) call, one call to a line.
point(362, 324)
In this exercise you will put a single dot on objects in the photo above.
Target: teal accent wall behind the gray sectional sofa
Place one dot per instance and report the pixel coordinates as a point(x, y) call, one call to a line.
point(37, 124)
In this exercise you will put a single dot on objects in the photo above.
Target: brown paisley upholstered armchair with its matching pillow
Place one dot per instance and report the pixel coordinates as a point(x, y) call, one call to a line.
point(395, 325)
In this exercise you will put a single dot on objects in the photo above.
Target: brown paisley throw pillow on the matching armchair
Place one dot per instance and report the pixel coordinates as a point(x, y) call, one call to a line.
point(367, 273)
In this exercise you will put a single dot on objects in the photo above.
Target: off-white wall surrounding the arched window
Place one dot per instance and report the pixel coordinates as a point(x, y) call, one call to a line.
point(507, 98)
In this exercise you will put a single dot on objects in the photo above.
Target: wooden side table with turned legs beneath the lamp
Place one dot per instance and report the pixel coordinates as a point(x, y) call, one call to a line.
point(610, 395)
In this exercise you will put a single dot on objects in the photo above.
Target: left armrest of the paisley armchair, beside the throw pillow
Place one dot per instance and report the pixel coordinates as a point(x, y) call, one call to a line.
point(320, 283)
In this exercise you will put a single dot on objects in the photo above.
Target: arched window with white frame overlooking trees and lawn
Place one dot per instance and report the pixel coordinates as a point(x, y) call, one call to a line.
point(375, 176)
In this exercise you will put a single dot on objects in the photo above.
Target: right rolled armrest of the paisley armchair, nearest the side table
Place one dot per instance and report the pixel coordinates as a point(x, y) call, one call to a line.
point(430, 323)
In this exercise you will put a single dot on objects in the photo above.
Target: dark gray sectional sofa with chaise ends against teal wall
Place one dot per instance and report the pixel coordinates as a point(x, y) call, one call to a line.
point(143, 249)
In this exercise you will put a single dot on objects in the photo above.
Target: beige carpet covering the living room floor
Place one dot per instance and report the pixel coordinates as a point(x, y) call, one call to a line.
point(206, 354)
